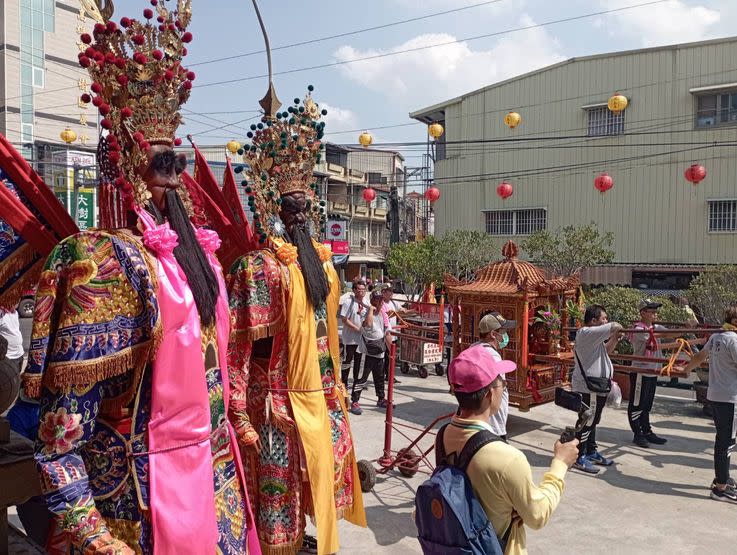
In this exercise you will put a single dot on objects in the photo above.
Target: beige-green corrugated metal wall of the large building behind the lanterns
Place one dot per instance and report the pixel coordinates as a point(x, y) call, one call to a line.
point(655, 214)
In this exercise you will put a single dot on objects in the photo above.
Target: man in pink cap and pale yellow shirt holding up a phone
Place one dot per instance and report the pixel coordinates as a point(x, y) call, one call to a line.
point(500, 475)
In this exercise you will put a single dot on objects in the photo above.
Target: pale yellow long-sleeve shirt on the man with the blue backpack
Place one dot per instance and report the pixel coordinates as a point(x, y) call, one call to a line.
point(501, 479)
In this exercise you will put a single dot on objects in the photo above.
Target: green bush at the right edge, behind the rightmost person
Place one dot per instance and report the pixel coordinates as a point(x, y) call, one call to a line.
point(713, 291)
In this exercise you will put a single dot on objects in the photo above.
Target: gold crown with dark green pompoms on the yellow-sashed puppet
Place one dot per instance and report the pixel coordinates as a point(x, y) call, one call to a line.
point(281, 160)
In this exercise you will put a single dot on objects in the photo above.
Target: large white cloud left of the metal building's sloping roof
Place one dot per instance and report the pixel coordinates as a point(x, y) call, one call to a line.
point(434, 74)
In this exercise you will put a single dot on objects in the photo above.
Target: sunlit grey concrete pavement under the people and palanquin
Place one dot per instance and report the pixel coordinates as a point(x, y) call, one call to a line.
point(650, 501)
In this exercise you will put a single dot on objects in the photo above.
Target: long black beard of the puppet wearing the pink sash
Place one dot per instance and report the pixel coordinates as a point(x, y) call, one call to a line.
point(191, 258)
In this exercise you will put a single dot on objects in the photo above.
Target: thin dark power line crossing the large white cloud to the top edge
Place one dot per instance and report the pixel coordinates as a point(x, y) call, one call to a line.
point(420, 48)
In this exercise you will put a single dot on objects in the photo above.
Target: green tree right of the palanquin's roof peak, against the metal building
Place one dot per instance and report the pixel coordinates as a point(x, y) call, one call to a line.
point(569, 249)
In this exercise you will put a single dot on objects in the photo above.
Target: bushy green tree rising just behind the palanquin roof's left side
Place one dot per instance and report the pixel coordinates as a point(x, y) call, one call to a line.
point(463, 252)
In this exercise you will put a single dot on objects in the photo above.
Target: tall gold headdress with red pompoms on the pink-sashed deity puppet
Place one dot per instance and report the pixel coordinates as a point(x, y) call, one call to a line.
point(139, 84)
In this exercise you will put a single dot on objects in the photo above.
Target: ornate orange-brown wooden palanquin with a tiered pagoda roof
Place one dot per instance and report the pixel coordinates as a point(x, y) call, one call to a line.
point(517, 289)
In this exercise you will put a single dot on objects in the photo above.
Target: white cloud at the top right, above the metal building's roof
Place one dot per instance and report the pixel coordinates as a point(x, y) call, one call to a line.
point(674, 21)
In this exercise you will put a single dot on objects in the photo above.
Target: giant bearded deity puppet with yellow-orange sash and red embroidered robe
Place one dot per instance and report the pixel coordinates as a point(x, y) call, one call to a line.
point(286, 400)
